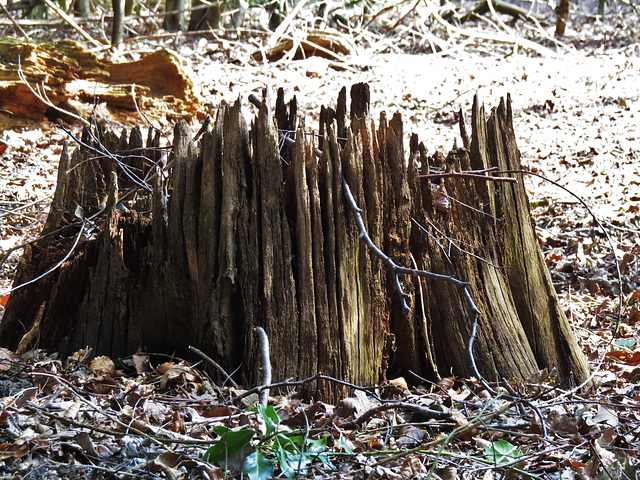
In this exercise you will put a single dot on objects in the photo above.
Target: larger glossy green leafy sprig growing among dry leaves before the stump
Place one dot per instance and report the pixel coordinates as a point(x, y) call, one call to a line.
point(270, 450)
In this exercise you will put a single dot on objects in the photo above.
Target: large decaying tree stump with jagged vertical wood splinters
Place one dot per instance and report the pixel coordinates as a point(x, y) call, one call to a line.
point(247, 231)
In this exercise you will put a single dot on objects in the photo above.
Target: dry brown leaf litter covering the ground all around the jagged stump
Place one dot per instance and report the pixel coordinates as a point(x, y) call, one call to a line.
point(150, 417)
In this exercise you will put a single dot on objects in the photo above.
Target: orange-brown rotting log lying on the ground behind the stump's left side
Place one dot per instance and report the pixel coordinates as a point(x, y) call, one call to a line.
point(39, 80)
